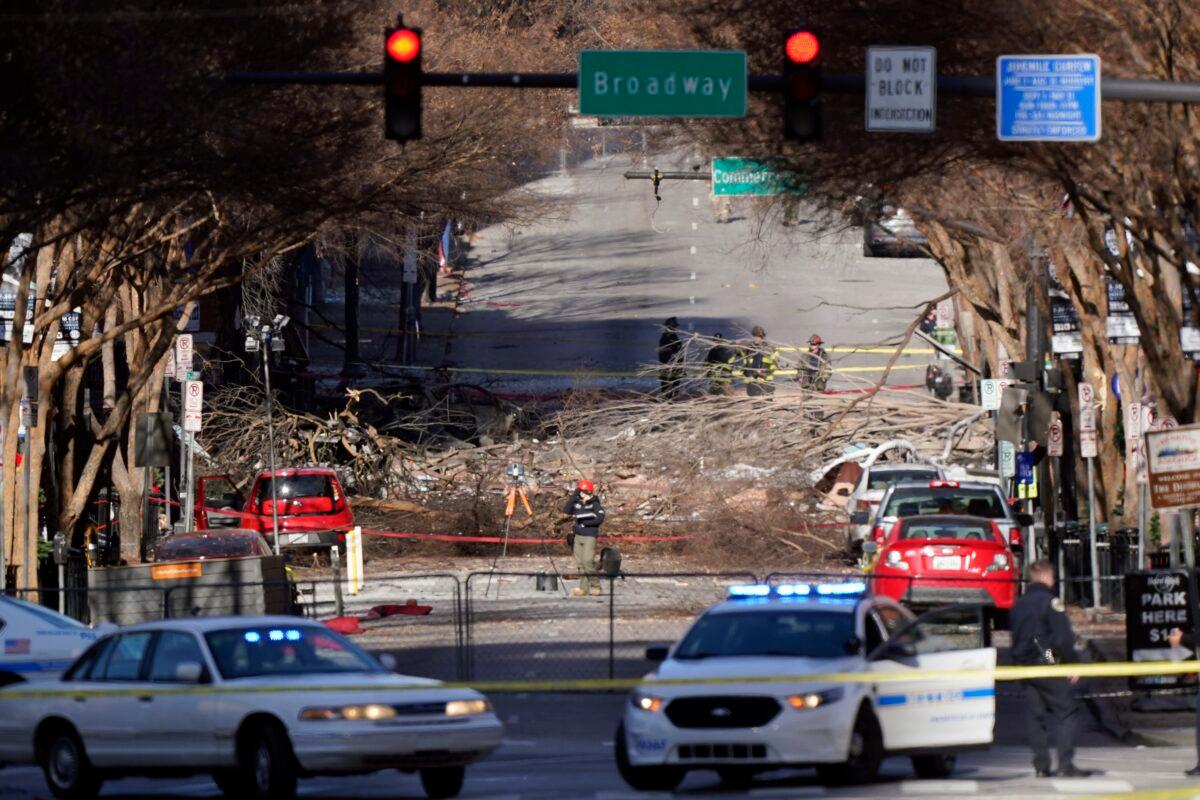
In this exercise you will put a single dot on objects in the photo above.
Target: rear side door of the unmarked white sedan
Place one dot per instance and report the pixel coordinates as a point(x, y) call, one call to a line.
point(111, 708)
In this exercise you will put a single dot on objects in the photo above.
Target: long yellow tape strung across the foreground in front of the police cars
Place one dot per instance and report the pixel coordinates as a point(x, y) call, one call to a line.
point(1114, 670)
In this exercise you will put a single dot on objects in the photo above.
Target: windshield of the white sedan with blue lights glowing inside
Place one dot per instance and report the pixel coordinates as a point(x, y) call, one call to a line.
point(286, 651)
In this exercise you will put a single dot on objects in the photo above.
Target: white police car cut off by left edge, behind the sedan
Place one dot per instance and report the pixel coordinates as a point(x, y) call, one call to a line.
point(38, 642)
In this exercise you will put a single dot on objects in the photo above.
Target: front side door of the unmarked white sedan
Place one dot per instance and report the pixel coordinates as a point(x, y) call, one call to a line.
point(181, 730)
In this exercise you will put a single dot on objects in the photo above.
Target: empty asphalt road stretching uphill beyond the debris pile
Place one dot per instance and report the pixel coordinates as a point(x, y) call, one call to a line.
point(586, 287)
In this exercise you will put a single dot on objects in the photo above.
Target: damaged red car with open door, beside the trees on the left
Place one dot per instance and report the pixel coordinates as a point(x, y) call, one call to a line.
point(314, 510)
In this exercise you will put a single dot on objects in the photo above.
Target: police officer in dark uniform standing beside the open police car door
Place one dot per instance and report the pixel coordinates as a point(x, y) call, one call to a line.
point(1042, 635)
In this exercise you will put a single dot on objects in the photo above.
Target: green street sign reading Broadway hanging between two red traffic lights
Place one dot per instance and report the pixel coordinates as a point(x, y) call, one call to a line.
point(663, 83)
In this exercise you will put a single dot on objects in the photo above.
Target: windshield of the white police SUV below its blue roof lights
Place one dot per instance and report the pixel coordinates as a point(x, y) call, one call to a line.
point(808, 634)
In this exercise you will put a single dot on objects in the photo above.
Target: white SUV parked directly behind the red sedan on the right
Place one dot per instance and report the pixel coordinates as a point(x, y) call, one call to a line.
point(971, 500)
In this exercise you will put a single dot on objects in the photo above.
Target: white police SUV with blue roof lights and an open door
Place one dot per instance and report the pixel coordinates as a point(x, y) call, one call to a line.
point(749, 689)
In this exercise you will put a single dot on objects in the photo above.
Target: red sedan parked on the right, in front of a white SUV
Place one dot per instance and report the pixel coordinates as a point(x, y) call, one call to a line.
point(943, 560)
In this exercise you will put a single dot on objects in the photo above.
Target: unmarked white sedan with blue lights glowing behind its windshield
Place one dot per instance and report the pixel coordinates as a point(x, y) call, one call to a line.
point(254, 702)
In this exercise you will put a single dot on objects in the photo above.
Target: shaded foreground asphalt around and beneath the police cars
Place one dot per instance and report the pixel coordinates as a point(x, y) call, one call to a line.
point(561, 747)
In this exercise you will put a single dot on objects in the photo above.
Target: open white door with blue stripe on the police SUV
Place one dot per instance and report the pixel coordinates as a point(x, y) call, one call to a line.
point(919, 709)
